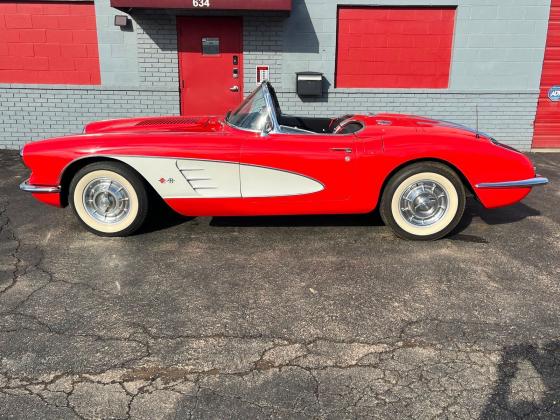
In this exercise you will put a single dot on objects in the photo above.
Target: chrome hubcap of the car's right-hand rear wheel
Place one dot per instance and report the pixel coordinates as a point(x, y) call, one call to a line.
point(424, 203)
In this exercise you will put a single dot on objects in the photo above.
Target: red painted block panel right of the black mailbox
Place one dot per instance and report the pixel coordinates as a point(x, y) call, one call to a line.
point(394, 47)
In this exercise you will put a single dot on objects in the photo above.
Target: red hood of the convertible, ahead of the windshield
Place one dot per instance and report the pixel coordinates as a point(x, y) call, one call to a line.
point(155, 124)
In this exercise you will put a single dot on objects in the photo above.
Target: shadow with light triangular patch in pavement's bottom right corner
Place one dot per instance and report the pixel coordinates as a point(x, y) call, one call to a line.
point(518, 391)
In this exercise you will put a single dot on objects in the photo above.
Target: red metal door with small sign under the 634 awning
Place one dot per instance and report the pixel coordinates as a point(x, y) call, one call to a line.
point(210, 64)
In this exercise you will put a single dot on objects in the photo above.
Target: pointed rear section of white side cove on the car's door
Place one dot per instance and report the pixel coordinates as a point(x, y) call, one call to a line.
point(257, 181)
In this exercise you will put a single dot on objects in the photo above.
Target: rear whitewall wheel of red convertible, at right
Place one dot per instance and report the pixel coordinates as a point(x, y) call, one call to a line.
point(424, 201)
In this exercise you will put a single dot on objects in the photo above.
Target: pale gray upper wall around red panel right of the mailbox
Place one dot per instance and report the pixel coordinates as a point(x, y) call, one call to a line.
point(498, 44)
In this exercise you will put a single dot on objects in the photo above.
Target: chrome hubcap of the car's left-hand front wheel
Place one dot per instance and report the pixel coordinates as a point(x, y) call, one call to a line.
point(106, 200)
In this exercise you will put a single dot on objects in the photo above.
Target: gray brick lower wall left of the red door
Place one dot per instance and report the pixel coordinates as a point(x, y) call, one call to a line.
point(40, 112)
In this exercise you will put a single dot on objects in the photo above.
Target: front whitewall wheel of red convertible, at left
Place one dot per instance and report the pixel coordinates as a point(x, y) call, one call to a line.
point(109, 199)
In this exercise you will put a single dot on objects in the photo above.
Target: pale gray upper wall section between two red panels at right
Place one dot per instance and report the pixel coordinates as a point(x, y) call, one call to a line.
point(499, 44)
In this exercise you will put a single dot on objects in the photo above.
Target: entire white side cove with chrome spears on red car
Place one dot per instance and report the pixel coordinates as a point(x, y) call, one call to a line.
point(197, 178)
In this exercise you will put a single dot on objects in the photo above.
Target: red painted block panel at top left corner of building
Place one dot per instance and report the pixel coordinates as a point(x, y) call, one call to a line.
point(48, 43)
